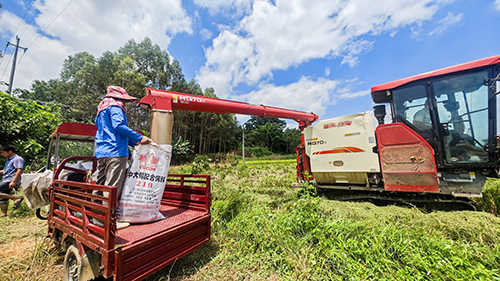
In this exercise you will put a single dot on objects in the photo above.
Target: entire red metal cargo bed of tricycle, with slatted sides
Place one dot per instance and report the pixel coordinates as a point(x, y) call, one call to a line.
point(78, 215)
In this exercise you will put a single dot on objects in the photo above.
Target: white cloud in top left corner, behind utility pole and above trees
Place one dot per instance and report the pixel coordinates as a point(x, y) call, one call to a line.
point(92, 26)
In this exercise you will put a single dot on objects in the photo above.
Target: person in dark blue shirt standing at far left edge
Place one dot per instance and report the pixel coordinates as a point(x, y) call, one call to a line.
point(11, 178)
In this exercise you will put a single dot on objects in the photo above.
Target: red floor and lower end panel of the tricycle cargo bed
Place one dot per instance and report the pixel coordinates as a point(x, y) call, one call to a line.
point(150, 247)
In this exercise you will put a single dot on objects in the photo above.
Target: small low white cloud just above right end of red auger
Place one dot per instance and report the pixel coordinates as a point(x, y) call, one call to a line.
point(307, 94)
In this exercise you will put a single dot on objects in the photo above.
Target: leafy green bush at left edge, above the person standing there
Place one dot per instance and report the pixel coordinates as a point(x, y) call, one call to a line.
point(26, 125)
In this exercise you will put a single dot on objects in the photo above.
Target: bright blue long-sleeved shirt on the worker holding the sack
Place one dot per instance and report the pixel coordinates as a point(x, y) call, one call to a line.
point(113, 134)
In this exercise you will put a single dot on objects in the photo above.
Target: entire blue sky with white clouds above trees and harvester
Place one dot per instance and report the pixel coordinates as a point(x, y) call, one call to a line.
point(321, 56)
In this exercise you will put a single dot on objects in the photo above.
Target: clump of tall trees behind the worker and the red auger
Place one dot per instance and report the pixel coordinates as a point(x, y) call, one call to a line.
point(84, 78)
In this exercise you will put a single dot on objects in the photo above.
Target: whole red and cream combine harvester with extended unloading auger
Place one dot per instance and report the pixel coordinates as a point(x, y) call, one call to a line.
point(440, 146)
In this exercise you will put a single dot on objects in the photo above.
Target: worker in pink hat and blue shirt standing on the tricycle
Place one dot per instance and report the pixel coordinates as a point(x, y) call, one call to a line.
point(113, 138)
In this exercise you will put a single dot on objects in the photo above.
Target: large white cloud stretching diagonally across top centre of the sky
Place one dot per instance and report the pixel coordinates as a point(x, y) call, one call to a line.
point(276, 36)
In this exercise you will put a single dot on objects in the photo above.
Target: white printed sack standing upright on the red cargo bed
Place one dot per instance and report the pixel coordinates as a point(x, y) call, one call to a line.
point(143, 189)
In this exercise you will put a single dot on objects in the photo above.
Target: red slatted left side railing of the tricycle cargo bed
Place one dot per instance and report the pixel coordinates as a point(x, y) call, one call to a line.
point(84, 211)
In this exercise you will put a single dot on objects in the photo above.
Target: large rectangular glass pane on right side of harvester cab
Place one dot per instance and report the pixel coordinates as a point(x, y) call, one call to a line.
point(463, 110)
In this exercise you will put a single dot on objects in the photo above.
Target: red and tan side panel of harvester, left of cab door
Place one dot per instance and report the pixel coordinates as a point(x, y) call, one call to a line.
point(406, 159)
